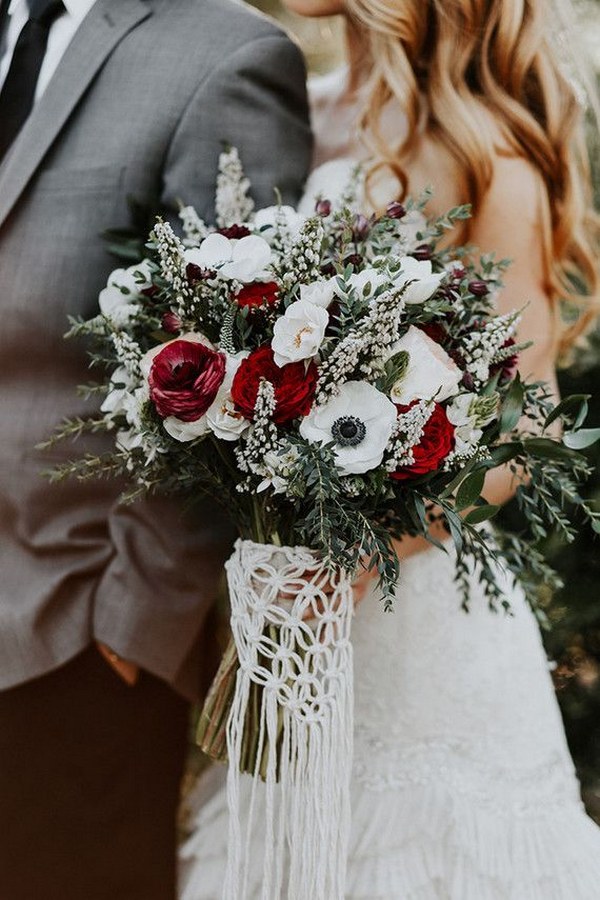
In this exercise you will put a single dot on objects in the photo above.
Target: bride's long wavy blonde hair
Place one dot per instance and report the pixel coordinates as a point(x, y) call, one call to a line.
point(450, 63)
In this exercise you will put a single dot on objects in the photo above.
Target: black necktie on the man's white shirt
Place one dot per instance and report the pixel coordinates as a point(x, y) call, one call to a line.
point(18, 92)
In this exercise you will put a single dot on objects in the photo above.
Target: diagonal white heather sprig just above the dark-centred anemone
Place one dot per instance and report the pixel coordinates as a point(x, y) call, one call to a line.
point(365, 348)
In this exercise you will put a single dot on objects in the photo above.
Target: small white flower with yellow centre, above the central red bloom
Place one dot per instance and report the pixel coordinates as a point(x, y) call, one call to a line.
point(299, 333)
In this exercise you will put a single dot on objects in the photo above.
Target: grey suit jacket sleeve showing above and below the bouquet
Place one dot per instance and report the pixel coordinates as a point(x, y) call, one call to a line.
point(255, 101)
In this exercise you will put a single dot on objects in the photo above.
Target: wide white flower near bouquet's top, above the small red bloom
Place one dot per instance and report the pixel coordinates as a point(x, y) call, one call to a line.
point(242, 260)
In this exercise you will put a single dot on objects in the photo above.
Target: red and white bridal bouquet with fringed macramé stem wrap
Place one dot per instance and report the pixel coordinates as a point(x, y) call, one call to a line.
point(335, 382)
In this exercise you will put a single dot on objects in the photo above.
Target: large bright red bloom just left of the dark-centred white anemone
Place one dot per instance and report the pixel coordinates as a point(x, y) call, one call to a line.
point(294, 385)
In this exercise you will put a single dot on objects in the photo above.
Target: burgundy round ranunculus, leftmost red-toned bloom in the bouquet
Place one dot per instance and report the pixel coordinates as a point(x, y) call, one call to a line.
point(184, 379)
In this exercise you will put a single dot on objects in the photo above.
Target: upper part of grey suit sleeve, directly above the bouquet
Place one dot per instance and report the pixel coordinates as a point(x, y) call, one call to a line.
point(255, 101)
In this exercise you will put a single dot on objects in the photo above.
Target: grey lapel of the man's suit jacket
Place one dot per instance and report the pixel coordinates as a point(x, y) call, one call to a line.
point(100, 32)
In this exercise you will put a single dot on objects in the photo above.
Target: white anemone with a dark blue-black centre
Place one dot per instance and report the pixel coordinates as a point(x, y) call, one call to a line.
point(359, 420)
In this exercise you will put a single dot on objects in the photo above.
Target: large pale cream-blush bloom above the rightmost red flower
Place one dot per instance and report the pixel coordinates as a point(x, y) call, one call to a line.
point(430, 372)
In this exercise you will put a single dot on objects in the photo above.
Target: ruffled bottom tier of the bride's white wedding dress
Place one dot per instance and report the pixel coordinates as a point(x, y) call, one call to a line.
point(428, 843)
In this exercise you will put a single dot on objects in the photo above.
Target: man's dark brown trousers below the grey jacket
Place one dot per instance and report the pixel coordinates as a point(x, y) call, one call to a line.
point(90, 775)
